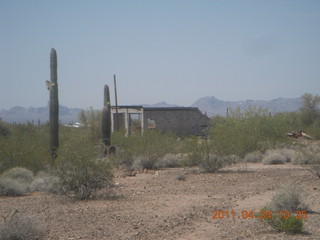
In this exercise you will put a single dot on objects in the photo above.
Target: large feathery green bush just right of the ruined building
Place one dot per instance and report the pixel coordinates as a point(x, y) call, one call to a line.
point(247, 131)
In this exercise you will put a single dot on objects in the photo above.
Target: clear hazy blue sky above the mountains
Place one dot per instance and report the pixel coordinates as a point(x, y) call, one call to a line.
point(161, 50)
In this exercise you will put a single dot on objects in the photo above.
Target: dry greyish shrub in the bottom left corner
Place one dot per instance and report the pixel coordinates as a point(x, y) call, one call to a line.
point(18, 228)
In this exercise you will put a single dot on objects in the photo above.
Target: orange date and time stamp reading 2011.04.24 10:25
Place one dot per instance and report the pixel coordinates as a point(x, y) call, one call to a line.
point(263, 214)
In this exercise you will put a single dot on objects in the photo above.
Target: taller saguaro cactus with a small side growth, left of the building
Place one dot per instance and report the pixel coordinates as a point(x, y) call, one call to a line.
point(54, 104)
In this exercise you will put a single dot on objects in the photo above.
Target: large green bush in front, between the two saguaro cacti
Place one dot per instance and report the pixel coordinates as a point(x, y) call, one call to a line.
point(81, 168)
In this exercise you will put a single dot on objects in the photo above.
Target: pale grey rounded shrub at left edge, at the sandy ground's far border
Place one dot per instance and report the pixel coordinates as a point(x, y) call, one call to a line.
point(15, 182)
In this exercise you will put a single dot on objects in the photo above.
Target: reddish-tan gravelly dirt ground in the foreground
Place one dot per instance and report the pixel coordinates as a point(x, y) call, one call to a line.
point(156, 205)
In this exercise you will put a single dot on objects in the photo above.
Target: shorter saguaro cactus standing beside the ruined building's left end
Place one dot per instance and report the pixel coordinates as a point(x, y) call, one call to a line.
point(106, 119)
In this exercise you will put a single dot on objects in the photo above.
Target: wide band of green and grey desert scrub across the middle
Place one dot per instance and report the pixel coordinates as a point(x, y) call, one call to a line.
point(251, 135)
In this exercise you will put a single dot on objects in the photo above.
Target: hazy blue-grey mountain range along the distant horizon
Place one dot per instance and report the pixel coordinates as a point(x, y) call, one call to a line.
point(209, 105)
